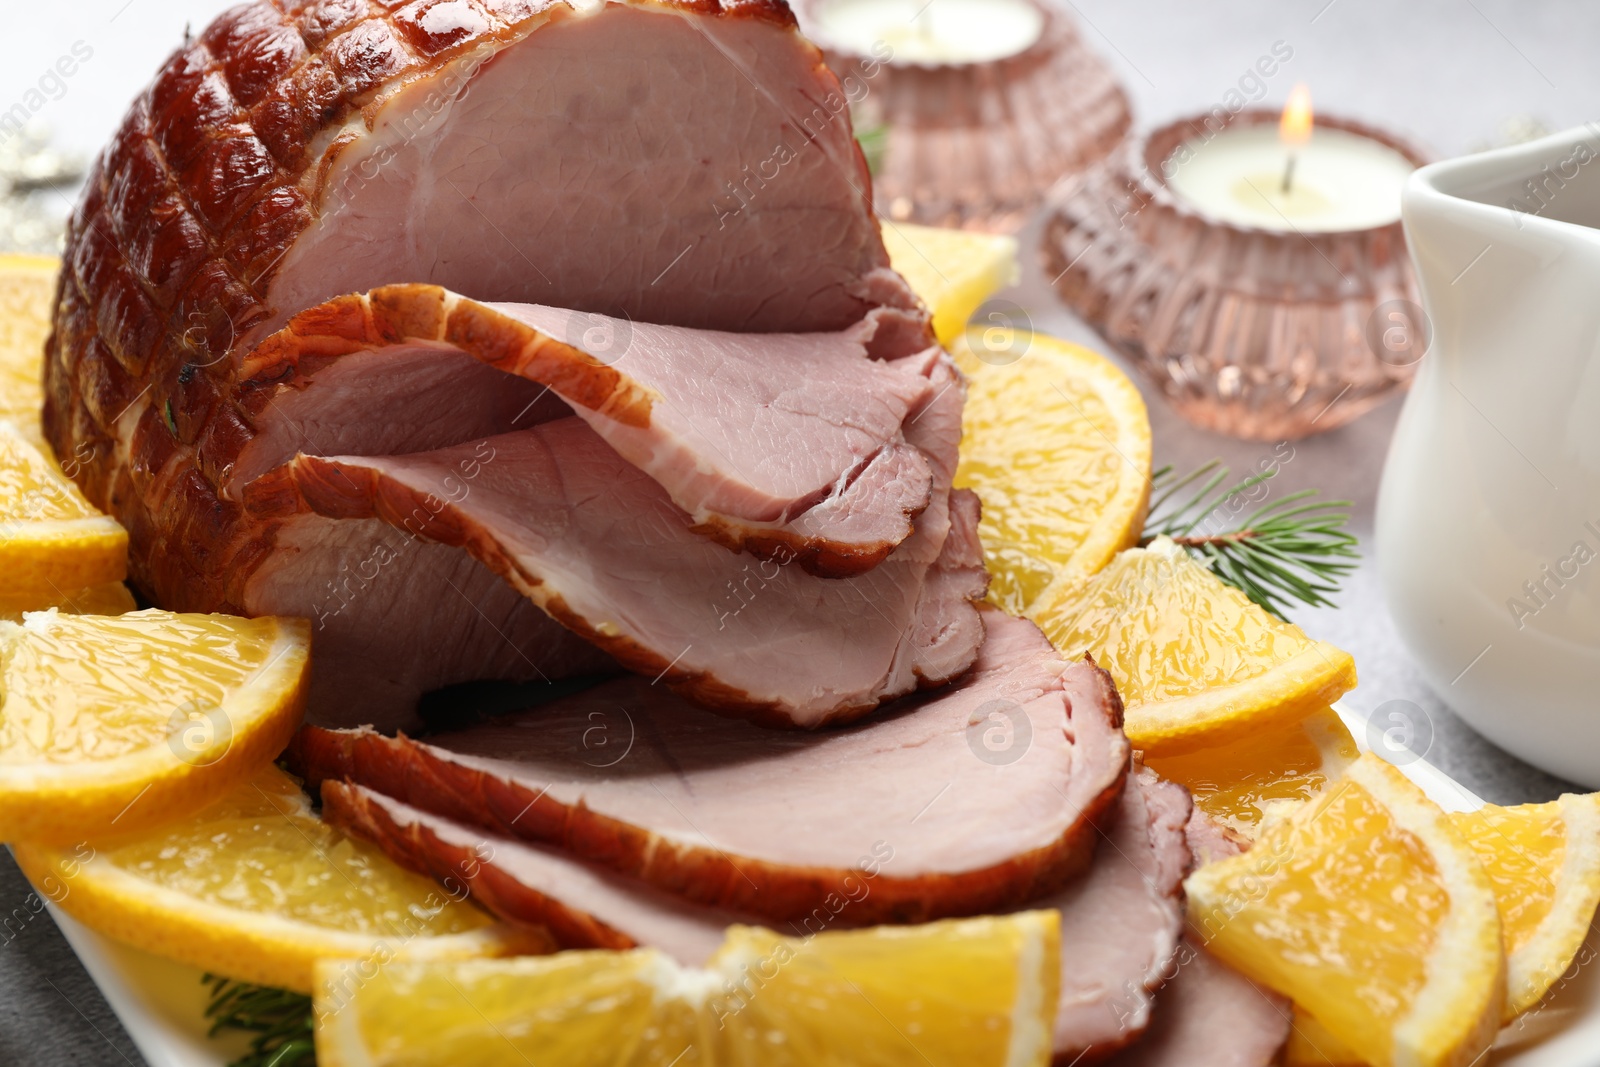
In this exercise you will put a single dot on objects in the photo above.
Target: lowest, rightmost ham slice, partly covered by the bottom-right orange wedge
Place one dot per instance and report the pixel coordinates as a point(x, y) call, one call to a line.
point(1209, 1015)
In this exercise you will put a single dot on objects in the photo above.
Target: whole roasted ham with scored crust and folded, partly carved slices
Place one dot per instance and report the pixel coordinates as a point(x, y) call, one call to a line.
point(516, 340)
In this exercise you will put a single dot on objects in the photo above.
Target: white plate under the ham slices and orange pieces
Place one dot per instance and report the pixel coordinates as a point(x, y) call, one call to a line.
point(161, 1004)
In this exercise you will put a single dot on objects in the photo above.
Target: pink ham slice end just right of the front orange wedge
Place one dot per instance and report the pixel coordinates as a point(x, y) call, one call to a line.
point(1121, 922)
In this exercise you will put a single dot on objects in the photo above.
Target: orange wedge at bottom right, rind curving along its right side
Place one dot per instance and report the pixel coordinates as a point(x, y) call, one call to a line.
point(1372, 913)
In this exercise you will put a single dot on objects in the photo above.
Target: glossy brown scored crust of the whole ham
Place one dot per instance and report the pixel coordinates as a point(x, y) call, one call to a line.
point(190, 217)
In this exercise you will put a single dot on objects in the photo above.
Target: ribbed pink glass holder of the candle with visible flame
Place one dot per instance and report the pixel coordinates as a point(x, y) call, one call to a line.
point(1249, 330)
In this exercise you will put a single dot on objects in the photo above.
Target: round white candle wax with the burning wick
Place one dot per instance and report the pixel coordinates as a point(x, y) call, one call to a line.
point(1342, 182)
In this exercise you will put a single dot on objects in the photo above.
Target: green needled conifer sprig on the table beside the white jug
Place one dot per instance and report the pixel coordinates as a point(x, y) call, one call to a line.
point(1284, 553)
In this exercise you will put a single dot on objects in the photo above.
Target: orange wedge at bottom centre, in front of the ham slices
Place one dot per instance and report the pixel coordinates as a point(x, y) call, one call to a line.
point(969, 993)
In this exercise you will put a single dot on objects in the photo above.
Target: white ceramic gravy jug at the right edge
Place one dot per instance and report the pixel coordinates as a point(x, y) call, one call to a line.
point(1489, 516)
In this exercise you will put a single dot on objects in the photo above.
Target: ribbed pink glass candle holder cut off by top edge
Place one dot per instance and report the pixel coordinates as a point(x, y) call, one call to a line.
point(977, 145)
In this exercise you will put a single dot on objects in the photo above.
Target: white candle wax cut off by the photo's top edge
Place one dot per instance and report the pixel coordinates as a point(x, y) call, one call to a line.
point(934, 31)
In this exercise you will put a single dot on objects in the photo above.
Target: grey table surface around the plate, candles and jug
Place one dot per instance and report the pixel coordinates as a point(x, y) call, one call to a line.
point(1454, 76)
